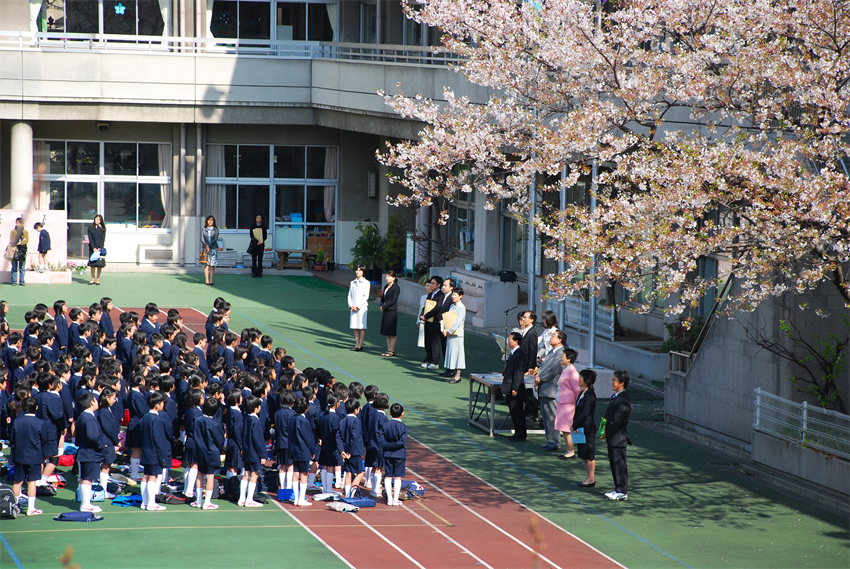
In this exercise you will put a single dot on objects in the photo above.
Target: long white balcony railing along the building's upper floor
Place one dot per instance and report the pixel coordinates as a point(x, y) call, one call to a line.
point(222, 47)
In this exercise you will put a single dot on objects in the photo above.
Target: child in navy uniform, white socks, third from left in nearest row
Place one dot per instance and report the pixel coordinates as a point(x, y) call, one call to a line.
point(156, 451)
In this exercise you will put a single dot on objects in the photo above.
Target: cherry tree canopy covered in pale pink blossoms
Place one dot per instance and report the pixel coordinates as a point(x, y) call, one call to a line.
point(719, 128)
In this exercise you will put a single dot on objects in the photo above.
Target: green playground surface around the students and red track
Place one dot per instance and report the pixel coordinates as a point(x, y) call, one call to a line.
point(686, 508)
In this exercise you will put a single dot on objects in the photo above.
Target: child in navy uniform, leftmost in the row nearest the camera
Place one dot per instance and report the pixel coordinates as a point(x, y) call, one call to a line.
point(28, 438)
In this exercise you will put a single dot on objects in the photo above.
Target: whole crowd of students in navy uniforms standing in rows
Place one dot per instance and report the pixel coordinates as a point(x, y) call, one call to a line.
point(71, 376)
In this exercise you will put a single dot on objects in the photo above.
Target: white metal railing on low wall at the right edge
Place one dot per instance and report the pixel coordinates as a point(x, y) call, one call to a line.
point(807, 425)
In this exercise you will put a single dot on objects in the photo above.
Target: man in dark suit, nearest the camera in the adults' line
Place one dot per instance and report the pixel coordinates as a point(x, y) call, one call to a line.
point(617, 435)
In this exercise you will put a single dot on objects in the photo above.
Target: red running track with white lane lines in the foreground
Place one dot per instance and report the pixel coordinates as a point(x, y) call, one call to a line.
point(463, 522)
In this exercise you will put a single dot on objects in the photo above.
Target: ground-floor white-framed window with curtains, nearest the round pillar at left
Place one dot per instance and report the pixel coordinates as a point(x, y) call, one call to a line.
point(128, 183)
